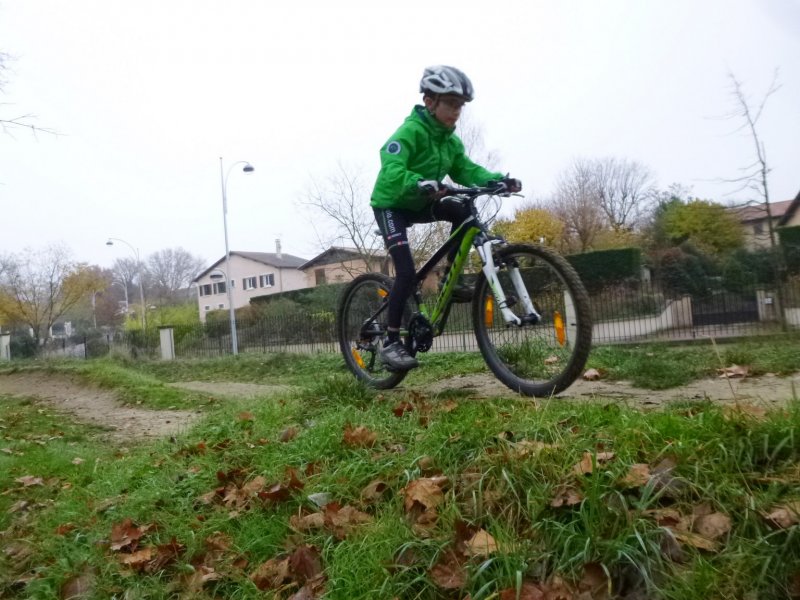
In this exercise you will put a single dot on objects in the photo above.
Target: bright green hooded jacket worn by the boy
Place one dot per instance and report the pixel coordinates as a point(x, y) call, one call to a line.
point(421, 149)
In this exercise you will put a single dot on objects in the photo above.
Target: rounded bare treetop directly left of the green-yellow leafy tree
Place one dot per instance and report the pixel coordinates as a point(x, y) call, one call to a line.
point(625, 188)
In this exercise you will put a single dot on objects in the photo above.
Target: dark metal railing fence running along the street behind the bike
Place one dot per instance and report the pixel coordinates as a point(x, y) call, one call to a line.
point(623, 313)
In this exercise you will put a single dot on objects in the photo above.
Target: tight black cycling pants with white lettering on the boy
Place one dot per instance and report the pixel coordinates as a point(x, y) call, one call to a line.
point(394, 224)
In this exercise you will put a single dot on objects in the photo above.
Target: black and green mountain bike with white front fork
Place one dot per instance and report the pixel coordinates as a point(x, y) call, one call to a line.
point(530, 311)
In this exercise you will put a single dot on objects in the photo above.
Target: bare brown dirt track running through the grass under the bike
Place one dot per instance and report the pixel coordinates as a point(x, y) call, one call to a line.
point(125, 423)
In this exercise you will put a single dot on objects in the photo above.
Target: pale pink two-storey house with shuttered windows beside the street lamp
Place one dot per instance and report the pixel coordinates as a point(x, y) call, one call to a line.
point(252, 274)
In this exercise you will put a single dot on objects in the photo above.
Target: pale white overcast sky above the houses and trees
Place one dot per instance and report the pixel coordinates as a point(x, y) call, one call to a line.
point(147, 95)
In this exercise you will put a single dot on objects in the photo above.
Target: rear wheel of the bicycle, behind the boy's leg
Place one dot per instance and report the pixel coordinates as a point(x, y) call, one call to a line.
point(361, 326)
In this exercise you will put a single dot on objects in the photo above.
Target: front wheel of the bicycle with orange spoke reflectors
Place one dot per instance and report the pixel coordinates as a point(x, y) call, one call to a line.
point(540, 357)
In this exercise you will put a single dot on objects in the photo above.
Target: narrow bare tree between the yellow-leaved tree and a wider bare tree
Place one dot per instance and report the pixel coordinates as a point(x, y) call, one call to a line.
point(576, 203)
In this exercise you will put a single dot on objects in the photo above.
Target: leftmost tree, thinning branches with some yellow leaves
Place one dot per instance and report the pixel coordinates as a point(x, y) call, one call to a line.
point(38, 287)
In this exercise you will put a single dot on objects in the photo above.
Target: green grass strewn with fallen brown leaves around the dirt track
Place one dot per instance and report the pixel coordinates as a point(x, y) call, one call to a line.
point(507, 462)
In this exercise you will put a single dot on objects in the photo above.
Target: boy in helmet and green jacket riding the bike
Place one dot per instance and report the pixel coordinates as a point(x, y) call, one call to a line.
point(418, 156)
